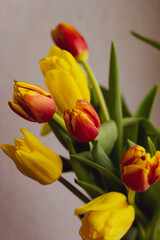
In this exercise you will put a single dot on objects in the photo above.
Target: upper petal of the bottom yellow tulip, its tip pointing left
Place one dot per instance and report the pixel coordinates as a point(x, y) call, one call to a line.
point(112, 200)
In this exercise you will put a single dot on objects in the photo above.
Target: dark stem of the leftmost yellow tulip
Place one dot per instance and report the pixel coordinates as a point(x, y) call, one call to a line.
point(73, 189)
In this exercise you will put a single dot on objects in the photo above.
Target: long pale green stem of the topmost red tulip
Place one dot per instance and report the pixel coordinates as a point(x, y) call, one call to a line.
point(97, 90)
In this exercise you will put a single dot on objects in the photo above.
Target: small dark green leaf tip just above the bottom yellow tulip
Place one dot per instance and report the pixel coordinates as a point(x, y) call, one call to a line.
point(91, 189)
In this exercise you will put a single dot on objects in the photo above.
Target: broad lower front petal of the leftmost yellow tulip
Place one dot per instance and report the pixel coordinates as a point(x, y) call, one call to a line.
point(38, 167)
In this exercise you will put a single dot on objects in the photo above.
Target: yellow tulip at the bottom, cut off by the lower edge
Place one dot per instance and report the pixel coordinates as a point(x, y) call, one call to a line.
point(108, 217)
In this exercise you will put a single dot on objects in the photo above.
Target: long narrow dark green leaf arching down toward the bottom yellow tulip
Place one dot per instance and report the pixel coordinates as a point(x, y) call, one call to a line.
point(115, 182)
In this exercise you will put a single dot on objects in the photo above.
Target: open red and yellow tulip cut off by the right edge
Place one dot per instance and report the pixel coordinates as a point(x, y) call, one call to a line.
point(139, 169)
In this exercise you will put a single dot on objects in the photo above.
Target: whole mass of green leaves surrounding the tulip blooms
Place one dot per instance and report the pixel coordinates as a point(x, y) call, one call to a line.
point(96, 165)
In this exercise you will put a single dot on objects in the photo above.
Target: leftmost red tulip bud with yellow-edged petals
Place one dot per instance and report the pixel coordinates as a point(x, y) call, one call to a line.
point(32, 102)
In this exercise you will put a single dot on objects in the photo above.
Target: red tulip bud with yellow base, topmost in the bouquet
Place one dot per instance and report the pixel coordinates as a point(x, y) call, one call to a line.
point(67, 37)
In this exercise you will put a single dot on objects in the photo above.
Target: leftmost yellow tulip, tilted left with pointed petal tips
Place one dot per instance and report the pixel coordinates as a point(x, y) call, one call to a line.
point(33, 159)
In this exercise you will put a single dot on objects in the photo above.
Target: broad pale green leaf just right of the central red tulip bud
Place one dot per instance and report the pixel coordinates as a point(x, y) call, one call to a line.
point(107, 135)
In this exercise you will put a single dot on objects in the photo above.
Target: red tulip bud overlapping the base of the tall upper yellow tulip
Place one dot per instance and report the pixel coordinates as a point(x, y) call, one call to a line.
point(82, 122)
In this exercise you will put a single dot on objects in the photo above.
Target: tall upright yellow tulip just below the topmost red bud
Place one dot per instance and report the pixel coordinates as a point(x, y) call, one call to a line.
point(64, 78)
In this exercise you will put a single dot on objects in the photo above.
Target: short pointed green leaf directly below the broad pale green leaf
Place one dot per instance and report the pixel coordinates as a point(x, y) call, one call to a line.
point(100, 157)
